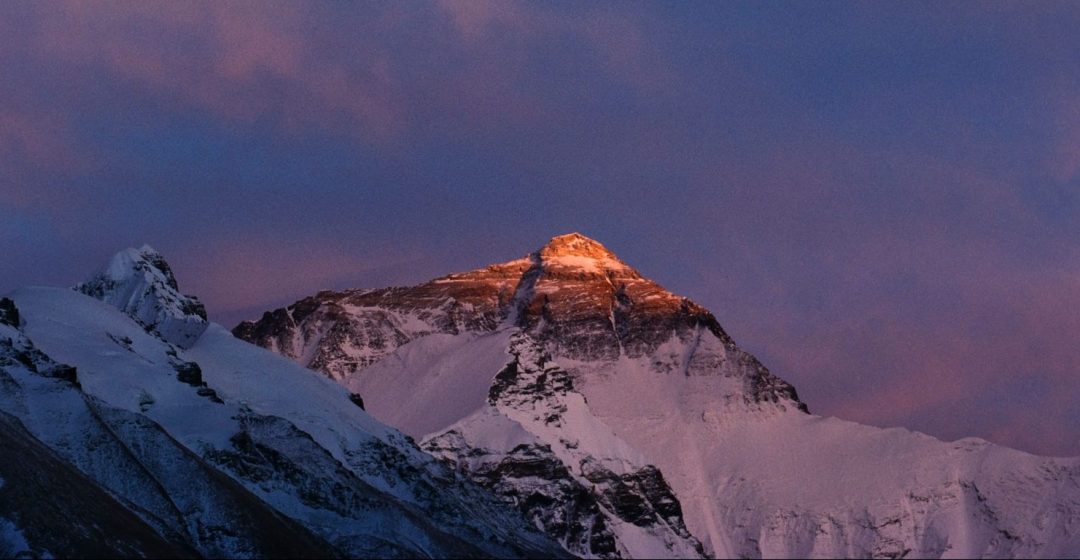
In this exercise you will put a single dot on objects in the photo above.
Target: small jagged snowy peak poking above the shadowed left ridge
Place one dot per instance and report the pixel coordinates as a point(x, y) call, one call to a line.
point(141, 283)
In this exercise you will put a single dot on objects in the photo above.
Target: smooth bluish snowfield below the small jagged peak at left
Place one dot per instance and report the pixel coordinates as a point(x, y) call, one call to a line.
point(77, 330)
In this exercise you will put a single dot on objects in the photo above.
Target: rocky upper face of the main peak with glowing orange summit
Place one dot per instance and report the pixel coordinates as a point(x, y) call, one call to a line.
point(573, 294)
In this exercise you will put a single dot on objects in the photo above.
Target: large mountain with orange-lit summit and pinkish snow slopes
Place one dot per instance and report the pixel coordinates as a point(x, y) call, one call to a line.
point(624, 421)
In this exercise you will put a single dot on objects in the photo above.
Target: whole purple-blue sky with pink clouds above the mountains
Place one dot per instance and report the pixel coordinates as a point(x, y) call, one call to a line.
point(882, 201)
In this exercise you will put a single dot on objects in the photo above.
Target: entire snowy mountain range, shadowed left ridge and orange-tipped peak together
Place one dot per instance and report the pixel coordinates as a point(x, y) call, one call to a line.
point(559, 405)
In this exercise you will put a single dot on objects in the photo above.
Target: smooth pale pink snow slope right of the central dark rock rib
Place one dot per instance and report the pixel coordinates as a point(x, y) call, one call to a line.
point(782, 484)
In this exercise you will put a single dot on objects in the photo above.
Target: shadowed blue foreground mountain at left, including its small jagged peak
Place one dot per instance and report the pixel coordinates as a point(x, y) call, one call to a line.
point(143, 430)
